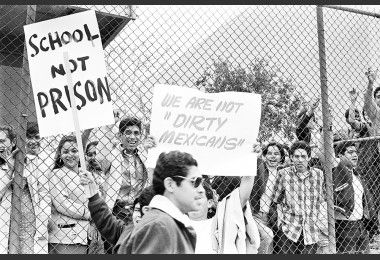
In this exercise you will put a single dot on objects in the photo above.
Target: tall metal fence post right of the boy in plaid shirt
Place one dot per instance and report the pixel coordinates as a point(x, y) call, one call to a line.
point(327, 131)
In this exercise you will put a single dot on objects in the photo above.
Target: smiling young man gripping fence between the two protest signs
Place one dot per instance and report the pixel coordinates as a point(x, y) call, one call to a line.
point(128, 175)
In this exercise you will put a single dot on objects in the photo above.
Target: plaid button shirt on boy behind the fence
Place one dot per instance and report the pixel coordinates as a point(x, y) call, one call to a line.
point(301, 196)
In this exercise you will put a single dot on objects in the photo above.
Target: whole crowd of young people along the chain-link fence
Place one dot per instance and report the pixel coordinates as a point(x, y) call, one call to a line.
point(116, 205)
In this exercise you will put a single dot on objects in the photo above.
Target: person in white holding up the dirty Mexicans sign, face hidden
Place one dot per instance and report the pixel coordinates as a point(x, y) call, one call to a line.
point(231, 219)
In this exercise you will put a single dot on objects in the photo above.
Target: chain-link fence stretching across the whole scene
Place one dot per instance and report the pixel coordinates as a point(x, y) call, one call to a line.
point(271, 50)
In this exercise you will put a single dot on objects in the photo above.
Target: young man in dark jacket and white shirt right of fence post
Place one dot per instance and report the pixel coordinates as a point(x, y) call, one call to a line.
point(353, 202)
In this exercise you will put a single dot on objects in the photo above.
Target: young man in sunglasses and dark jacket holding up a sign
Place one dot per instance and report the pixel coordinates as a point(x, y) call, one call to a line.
point(165, 228)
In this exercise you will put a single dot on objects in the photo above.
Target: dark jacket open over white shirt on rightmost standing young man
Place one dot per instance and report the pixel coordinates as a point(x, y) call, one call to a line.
point(344, 193)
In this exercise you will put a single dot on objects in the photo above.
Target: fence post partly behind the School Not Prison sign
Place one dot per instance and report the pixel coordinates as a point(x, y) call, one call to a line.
point(15, 246)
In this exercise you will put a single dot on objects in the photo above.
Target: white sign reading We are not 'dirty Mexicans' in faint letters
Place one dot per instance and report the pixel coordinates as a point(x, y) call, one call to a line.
point(218, 129)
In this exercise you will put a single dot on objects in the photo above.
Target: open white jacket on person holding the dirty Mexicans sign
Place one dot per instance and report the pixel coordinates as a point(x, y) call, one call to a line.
point(238, 235)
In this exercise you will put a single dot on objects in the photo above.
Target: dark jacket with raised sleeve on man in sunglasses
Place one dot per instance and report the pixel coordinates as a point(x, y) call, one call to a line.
point(156, 233)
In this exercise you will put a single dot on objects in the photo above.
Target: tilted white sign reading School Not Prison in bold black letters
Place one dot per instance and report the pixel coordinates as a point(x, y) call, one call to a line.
point(79, 35)
